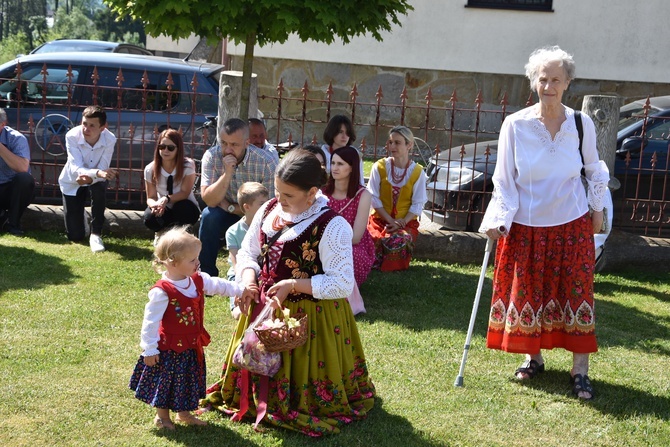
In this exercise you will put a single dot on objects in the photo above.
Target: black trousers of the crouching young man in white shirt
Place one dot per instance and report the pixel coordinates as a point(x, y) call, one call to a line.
point(73, 208)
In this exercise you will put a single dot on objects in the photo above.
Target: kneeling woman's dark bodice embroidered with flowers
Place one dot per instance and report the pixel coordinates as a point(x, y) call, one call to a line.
point(299, 258)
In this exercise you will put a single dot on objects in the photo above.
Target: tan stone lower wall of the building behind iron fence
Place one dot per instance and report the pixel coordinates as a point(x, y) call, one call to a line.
point(442, 84)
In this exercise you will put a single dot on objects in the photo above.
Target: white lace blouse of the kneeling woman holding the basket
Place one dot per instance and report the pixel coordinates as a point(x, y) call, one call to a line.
point(335, 250)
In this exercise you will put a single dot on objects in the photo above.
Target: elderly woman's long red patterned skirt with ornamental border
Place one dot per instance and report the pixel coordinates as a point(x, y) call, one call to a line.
point(543, 289)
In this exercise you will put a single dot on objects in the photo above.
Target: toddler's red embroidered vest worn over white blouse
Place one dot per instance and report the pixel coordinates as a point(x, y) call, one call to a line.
point(182, 325)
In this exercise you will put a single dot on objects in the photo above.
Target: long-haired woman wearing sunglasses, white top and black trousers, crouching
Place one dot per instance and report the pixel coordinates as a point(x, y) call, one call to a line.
point(169, 181)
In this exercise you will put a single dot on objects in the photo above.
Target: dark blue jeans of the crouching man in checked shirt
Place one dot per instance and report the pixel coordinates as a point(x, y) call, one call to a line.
point(214, 222)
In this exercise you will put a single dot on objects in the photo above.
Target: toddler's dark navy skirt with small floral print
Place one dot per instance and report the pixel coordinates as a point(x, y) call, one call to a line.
point(177, 382)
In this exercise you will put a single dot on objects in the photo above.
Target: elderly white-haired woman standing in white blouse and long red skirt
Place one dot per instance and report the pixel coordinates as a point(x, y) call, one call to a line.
point(543, 279)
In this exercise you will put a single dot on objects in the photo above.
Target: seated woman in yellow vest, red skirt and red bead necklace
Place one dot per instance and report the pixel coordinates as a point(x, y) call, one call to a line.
point(398, 188)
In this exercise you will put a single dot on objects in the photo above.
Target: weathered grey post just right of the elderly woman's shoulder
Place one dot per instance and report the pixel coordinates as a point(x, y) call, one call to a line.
point(604, 110)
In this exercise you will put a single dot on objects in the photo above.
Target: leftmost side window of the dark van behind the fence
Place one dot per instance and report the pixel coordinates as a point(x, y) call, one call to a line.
point(35, 87)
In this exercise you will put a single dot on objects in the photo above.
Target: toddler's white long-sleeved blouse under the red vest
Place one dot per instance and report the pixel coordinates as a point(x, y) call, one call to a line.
point(158, 302)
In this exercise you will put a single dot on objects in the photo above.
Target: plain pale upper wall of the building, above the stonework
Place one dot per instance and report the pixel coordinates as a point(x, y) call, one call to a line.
point(618, 40)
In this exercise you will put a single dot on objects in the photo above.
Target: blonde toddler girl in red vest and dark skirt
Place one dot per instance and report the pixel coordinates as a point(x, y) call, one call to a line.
point(170, 374)
